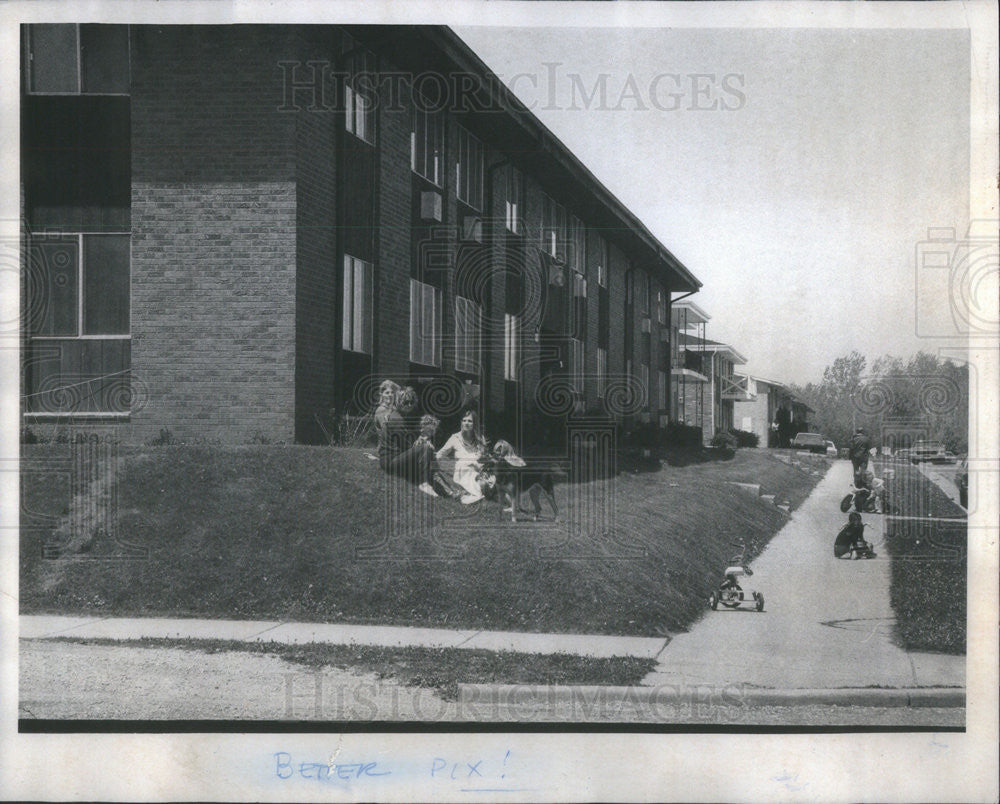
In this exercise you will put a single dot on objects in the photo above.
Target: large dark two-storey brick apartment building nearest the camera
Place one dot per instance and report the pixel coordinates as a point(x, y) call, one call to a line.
point(231, 231)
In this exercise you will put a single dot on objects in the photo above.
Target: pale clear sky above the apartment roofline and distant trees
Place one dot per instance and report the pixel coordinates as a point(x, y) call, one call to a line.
point(801, 198)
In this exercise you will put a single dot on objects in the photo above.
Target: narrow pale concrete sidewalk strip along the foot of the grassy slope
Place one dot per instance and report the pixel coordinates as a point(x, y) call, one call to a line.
point(123, 628)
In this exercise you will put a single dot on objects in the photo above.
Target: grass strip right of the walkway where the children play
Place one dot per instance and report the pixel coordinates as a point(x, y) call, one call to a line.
point(929, 558)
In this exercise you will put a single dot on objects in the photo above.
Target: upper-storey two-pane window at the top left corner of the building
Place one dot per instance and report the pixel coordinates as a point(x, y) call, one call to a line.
point(70, 59)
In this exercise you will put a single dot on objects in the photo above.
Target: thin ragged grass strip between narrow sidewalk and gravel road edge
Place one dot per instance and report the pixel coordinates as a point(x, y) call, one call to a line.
point(440, 669)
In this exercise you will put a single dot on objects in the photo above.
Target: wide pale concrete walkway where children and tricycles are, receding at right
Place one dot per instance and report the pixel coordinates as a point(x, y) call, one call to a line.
point(827, 622)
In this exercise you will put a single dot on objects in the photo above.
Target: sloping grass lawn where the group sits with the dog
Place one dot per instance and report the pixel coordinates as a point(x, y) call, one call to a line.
point(311, 534)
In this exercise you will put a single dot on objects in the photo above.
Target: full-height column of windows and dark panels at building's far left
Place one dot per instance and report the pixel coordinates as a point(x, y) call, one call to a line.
point(77, 197)
